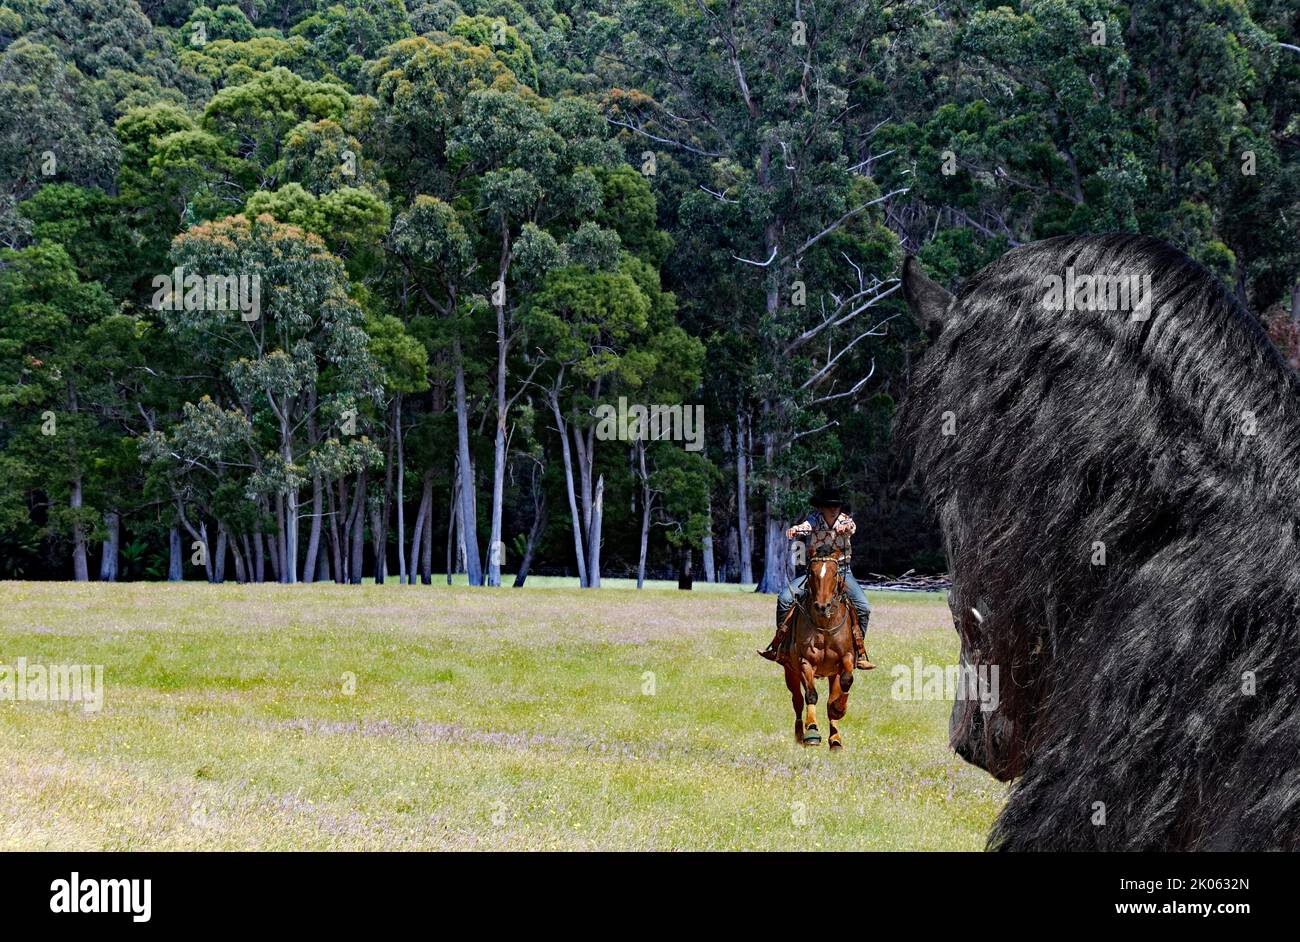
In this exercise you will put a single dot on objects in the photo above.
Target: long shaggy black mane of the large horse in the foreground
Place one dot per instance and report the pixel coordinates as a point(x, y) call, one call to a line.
point(1150, 701)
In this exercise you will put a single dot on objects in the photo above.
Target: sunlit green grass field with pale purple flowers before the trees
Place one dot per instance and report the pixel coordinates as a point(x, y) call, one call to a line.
point(480, 719)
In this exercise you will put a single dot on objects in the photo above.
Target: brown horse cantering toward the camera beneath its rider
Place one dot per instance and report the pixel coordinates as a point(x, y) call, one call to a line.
point(822, 646)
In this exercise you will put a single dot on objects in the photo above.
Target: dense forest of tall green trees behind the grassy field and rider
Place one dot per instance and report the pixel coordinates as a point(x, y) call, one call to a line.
point(310, 290)
